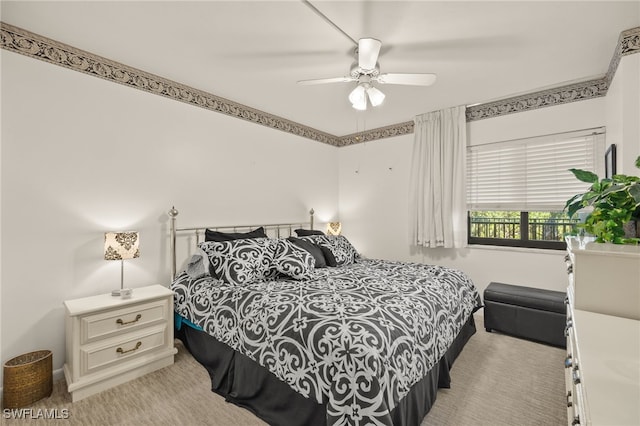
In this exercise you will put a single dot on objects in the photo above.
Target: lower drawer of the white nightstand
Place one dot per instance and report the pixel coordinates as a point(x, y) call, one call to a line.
point(103, 354)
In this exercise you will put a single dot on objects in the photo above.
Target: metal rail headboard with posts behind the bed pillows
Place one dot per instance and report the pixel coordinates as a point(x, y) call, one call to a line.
point(276, 230)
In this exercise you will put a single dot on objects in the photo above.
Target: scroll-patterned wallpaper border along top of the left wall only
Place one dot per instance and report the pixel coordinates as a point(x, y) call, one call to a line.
point(24, 42)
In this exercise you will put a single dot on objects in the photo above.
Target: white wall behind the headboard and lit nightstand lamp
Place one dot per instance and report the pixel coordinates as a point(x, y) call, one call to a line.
point(81, 156)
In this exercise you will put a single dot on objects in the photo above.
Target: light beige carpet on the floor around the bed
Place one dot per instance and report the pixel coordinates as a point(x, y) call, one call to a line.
point(497, 380)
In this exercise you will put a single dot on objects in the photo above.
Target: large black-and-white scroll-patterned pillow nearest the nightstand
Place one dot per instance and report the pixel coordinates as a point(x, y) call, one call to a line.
point(242, 261)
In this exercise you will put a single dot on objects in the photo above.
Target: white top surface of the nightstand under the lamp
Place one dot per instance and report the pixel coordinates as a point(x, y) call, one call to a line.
point(107, 301)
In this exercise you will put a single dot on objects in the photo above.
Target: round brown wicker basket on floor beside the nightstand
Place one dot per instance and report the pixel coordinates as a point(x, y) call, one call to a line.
point(27, 379)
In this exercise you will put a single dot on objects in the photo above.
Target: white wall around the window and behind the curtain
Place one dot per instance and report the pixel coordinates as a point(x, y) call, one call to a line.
point(374, 179)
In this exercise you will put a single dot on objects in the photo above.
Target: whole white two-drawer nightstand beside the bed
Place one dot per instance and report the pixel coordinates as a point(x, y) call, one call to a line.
point(110, 340)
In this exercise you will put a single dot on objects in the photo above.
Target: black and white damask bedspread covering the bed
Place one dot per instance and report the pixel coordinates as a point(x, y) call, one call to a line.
point(356, 337)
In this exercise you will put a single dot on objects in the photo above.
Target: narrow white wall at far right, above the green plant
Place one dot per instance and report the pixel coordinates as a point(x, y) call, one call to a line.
point(623, 114)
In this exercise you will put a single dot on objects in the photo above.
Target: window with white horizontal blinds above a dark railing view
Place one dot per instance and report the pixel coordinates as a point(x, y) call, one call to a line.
point(516, 190)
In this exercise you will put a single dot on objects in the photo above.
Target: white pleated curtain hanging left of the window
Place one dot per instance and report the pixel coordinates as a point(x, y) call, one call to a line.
point(437, 197)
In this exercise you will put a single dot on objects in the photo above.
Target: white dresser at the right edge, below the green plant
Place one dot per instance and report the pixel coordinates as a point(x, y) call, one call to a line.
point(603, 335)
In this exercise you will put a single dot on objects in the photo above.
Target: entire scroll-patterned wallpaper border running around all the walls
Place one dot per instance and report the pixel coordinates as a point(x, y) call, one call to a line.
point(38, 47)
